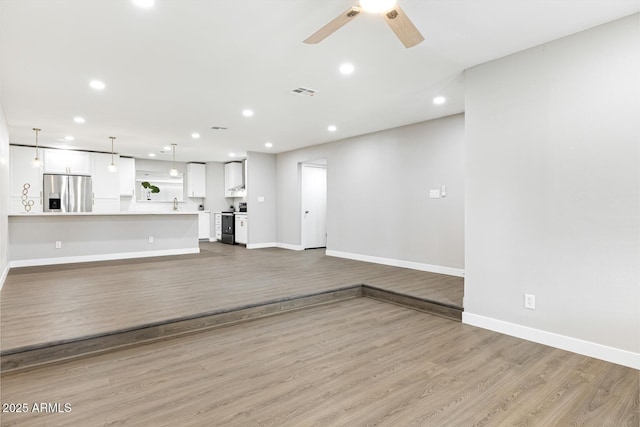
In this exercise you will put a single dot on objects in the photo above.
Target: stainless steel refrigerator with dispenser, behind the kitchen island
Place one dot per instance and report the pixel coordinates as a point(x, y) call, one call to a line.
point(67, 193)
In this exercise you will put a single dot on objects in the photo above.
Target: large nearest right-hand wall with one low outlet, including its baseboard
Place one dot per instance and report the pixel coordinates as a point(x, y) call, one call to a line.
point(553, 188)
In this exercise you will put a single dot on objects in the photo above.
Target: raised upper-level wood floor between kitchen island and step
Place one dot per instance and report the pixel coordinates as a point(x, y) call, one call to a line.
point(58, 303)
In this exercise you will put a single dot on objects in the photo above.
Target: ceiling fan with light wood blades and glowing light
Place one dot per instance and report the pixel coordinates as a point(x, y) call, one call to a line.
point(395, 17)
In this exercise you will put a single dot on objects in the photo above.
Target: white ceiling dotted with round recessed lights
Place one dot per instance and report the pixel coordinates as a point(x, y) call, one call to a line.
point(187, 65)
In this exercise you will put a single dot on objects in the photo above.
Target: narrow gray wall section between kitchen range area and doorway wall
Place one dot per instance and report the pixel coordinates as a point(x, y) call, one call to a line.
point(261, 183)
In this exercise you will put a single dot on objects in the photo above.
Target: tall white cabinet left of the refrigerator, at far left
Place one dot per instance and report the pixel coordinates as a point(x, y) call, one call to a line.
point(22, 172)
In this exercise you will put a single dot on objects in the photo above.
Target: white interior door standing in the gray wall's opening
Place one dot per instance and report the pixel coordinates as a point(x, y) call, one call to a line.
point(314, 206)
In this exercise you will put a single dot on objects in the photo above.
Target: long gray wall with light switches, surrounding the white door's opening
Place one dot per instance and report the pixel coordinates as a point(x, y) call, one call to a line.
point(378, 193)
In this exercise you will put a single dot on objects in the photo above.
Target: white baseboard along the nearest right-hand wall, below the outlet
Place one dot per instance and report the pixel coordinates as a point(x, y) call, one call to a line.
point(563, 342)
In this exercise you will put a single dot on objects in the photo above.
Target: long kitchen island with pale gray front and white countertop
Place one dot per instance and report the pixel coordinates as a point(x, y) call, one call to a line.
point(60, 238)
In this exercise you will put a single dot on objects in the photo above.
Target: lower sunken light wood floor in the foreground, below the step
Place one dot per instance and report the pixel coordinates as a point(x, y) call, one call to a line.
point(352, 363)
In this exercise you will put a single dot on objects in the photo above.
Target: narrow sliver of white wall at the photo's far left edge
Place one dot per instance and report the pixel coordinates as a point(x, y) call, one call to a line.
point(4, 196)
